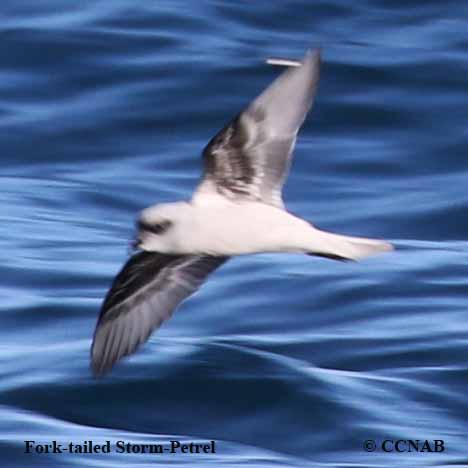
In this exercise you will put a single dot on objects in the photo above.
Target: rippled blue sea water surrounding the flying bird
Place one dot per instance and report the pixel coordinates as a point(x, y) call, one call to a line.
point(283, 360)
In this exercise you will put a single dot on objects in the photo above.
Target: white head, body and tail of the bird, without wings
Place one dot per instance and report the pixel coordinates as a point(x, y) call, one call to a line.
point(214, 225)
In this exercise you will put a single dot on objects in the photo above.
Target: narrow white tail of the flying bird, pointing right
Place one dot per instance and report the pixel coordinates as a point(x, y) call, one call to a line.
point(338, 247)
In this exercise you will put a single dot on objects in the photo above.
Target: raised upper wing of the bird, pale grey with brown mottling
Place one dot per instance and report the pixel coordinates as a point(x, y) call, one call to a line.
point(250, 157)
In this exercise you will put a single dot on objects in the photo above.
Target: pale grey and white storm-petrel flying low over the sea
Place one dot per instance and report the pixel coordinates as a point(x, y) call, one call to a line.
point(236, 209)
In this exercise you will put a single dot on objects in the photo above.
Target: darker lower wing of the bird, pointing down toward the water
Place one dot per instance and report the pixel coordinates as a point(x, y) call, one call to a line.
point(144, 294)
